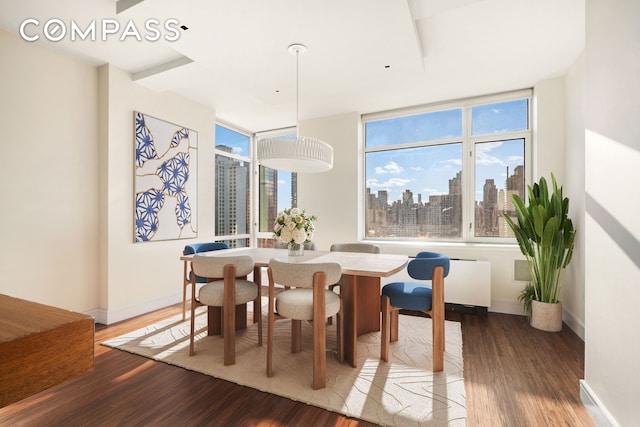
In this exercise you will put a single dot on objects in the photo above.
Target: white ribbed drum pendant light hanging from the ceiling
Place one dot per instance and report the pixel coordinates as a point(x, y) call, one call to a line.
point(301, 154)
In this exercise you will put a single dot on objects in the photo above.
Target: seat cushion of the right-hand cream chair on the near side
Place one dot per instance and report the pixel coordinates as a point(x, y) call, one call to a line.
point(298, 303)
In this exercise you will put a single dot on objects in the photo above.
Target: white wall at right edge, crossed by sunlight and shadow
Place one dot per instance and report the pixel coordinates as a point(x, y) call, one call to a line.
point(612, 258)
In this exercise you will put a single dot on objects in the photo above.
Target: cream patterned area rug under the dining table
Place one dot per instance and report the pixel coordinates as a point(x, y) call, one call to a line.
point(402, 392)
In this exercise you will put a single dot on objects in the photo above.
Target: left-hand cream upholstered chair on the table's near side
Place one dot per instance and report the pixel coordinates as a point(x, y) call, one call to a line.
point(230, 290)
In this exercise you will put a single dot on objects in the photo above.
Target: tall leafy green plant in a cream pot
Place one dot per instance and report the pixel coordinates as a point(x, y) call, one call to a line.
point(545, 235)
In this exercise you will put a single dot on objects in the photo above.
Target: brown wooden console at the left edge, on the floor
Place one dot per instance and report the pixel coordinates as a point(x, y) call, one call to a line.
point(41, 346)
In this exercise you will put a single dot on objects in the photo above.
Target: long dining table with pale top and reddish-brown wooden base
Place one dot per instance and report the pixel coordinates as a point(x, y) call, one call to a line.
point(360, 290)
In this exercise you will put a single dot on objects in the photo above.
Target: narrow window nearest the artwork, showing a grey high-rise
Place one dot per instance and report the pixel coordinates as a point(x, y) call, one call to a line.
point(233, 184)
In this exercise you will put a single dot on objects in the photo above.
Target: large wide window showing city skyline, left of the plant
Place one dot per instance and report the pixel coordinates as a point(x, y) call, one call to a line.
point(446, 172)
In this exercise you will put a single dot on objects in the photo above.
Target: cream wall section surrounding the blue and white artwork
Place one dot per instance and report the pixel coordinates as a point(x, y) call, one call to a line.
point(138, 277)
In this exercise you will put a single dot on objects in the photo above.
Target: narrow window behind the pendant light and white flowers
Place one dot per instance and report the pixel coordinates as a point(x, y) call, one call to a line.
point(277, 191)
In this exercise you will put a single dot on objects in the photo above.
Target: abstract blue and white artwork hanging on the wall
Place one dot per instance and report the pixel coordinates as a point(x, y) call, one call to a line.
point(165, 180)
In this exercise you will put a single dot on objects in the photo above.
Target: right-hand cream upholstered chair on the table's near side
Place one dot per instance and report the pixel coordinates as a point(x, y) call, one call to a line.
point(305, 297)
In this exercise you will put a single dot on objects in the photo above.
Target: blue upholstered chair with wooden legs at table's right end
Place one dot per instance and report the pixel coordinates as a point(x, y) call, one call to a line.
point(397, 296)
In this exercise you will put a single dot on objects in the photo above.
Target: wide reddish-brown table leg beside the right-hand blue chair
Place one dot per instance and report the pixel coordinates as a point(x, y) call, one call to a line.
point(361, 306)
